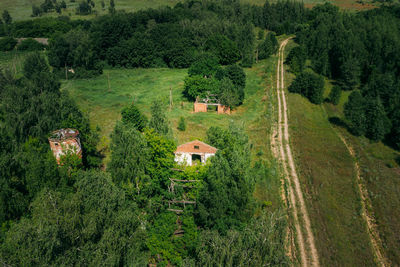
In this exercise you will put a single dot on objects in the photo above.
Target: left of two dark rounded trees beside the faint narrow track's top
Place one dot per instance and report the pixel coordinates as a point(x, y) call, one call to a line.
point(354, 111)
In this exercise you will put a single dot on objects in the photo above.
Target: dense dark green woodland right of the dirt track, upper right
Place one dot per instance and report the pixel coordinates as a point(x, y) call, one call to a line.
point(361, 51)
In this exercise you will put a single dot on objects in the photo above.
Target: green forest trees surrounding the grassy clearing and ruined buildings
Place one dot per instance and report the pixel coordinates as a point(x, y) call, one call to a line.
point(81, 212)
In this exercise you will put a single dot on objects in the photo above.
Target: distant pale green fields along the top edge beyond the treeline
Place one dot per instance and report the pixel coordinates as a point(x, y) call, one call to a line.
point(22, 9)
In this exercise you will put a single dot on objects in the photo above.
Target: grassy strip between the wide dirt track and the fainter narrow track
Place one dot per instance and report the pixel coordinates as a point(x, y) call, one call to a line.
point(326, 172)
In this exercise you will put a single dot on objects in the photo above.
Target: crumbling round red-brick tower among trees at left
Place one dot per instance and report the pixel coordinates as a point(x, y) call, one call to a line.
point(63, 141)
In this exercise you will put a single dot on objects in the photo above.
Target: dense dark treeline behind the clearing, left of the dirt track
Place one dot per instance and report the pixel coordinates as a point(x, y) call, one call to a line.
point(167, 37)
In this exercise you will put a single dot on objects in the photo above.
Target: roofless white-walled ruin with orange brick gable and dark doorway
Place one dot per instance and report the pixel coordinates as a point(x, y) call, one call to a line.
point(194, 152)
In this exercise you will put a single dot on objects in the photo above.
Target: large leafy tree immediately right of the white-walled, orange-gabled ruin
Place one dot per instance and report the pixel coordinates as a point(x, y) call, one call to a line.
point(225, 199)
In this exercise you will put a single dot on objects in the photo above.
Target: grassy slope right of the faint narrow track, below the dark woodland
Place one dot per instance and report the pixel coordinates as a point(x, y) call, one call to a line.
point(380, 174)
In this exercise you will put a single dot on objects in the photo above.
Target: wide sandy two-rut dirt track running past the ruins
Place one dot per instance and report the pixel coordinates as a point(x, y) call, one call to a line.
point(281, 148)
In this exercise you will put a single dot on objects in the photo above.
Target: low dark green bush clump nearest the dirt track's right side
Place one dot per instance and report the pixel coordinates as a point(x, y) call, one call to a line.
point(309, 85)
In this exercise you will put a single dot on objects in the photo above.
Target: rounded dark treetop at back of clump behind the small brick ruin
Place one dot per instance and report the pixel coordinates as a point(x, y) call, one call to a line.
point(205, 65)
